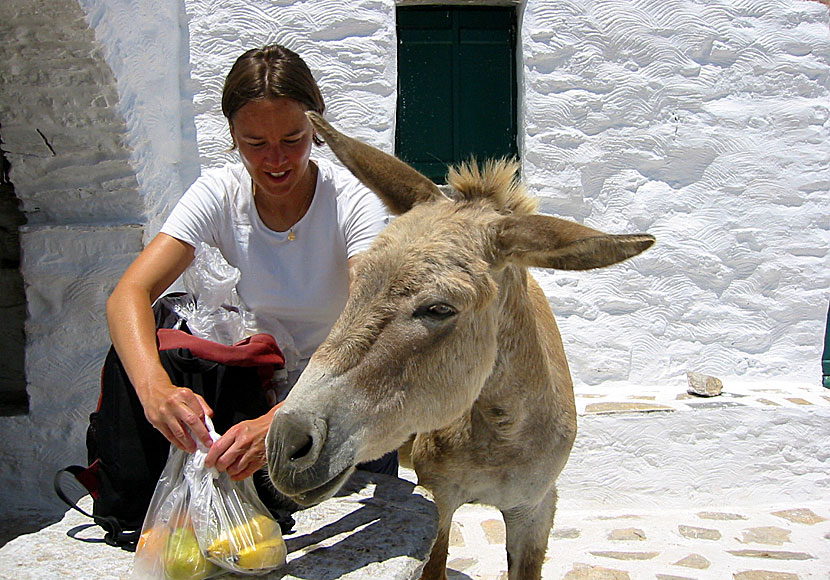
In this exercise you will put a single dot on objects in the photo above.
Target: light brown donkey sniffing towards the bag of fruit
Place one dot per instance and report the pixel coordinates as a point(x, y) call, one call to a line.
point(446, 337)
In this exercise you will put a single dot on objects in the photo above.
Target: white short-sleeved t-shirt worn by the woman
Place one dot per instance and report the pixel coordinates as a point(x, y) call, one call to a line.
point(303, 283)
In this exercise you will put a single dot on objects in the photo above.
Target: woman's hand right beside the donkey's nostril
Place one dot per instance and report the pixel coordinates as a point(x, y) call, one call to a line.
point(241, 450)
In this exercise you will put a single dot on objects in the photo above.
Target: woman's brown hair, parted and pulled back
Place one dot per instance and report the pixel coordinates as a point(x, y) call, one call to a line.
point(270, 72)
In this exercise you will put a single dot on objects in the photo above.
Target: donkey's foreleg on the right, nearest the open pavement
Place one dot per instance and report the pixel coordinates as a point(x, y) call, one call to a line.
point(528, 528)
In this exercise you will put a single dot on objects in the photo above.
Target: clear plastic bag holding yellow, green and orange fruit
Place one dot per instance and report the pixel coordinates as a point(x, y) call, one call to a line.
point(201, 524)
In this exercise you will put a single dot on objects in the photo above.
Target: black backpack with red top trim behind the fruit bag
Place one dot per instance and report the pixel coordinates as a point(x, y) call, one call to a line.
point(126, 454)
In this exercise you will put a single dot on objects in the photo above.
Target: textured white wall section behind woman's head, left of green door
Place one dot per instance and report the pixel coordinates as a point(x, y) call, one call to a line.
point(350, 47)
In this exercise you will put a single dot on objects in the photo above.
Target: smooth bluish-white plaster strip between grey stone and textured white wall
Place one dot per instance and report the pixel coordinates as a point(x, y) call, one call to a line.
point(145, 43)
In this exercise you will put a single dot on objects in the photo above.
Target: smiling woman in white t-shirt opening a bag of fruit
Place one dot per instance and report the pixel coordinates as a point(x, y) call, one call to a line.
point(288, 223)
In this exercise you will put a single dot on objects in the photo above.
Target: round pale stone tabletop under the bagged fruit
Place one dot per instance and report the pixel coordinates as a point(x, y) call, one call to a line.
point(378, 527)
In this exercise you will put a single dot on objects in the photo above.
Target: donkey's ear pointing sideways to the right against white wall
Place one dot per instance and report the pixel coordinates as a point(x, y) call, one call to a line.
point(547, 242)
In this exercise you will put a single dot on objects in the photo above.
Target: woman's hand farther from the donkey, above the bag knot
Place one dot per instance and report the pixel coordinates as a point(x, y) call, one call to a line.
point(177, 413)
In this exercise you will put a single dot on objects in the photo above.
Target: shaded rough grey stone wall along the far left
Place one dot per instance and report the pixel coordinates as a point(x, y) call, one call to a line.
point(70, 162)
